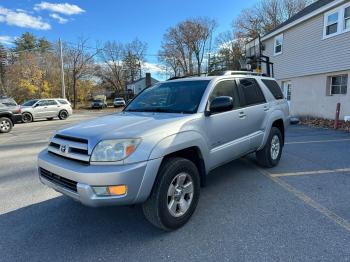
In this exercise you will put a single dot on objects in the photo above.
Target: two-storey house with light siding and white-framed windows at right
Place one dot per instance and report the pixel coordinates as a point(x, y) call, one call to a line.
point(310, 53)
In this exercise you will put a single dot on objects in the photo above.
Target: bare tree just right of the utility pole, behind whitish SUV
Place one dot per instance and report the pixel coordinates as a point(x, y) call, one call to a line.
point(78, 64)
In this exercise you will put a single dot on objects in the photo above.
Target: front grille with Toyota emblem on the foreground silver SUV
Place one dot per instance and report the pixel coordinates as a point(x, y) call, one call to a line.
point(73, 148)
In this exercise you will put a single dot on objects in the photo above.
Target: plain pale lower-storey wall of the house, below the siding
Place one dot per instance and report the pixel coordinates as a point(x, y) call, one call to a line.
point(309, 96)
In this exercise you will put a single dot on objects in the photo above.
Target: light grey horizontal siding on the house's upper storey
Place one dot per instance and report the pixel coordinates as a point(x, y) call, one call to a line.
point(305, 52)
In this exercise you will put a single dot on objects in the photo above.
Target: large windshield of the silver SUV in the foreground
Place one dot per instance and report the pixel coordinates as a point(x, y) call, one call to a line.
point(170, 97)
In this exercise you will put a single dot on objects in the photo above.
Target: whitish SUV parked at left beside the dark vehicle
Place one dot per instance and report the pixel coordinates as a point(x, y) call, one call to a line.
point(46, 108)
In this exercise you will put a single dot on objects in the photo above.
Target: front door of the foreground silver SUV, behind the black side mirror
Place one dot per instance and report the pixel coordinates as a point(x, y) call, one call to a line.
point(226, 131)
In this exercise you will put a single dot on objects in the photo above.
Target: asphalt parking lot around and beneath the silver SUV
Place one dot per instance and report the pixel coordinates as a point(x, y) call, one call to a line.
point(298, 211)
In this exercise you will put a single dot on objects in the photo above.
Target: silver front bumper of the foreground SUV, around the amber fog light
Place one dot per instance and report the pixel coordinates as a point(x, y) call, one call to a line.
point(138, 178)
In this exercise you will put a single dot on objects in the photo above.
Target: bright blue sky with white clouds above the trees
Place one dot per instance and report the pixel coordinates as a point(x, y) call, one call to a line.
point(102, 20)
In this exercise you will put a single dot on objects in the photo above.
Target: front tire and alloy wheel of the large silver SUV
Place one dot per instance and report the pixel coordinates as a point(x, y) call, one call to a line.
point(166, 193)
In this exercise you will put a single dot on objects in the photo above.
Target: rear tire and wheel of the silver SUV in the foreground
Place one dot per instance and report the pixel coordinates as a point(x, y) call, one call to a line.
point(270, 155)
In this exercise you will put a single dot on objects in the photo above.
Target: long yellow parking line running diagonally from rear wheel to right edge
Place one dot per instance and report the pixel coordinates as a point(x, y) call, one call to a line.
point(307, 200)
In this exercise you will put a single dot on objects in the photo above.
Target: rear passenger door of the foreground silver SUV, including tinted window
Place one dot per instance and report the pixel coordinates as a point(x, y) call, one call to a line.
point(254, 108)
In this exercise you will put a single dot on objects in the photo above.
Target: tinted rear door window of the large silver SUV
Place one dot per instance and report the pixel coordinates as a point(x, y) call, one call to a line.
point(251, 92)
